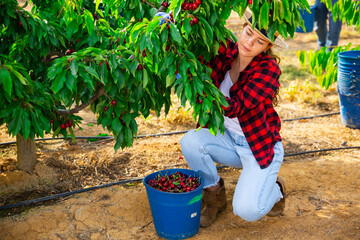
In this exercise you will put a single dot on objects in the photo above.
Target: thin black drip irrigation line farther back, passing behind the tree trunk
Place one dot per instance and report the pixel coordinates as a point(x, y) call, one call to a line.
point(157, 134)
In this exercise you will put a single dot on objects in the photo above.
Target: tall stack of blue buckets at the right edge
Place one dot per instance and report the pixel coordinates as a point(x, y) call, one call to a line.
point(348, 87)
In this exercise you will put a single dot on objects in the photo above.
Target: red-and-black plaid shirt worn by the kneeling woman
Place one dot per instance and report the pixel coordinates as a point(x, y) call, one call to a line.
point(251, 99)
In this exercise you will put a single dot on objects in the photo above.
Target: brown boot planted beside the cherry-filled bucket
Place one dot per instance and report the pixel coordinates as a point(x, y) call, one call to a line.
point(214, 203)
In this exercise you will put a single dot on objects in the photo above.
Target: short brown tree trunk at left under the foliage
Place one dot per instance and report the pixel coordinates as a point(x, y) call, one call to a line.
point(26, 153)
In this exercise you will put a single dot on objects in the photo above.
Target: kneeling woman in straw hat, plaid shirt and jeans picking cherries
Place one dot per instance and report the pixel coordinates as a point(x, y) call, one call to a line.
point(247, 75)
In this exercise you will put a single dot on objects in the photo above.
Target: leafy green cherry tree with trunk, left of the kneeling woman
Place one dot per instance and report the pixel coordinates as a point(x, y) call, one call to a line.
point(69, 54)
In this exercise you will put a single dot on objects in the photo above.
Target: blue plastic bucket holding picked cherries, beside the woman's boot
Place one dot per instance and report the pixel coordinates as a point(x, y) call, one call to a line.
point(175, 215)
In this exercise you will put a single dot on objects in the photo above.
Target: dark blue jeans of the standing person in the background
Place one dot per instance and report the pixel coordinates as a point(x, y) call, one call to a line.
point(326, 36)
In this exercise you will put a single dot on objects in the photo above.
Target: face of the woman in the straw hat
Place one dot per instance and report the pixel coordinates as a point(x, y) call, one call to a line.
point(251, 43)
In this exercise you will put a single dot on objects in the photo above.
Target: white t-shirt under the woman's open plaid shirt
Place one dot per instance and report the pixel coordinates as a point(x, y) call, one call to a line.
point(231, 124)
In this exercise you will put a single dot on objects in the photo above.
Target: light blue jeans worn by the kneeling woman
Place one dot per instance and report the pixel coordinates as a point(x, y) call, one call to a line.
point(256, 191)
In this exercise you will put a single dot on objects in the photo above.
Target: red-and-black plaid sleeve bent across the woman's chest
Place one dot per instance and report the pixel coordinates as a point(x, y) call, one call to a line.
point(261, 85)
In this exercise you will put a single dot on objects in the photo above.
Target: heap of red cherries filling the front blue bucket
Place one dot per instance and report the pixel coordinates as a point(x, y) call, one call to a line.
point(175, 183)
